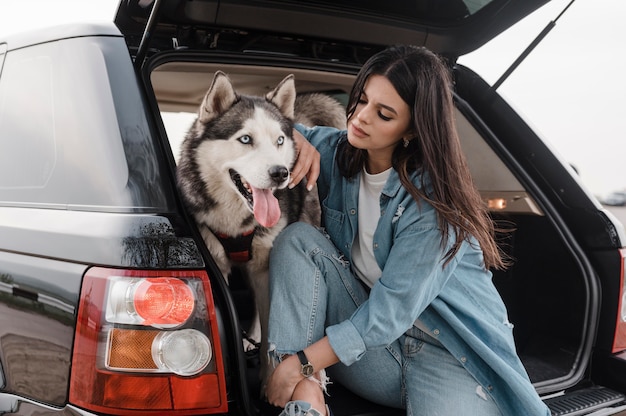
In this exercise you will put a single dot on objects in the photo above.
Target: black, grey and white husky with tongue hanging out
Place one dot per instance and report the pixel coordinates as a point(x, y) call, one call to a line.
point(236, 156)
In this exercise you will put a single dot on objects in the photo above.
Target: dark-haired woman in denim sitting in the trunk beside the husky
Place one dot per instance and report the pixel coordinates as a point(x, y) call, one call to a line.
point(395, 296)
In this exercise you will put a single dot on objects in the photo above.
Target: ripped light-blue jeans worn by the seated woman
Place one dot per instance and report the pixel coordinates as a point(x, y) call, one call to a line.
point(312, 286)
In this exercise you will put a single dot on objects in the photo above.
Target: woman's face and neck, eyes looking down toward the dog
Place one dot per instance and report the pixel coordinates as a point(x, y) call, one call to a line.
point(381, 119)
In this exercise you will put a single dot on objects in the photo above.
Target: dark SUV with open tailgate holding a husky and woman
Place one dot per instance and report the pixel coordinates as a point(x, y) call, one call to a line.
point(93, 232)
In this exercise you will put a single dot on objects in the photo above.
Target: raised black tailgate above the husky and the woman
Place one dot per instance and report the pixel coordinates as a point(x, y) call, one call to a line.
point(449, 27)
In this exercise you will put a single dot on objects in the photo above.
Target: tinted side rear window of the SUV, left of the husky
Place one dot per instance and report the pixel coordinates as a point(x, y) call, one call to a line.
point(74, 132)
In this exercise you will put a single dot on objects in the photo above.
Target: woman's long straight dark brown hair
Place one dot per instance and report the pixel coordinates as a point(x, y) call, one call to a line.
point(423, 81)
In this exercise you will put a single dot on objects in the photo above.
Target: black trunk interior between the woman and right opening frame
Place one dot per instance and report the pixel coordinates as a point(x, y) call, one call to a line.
point(547, 299)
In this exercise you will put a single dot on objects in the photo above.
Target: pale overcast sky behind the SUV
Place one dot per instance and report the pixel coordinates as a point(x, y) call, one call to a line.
point(572, 88)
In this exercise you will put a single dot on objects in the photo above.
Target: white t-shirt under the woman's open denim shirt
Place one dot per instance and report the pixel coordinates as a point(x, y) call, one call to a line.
point(363, 261)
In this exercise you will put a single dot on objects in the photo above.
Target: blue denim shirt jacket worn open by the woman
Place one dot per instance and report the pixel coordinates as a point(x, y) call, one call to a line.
point(457, 304)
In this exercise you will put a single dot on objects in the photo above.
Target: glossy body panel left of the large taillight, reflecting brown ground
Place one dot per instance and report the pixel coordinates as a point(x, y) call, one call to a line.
point(43, 293)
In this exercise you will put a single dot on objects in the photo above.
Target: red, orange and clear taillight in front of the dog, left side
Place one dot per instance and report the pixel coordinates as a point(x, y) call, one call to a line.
point(147, 343)
